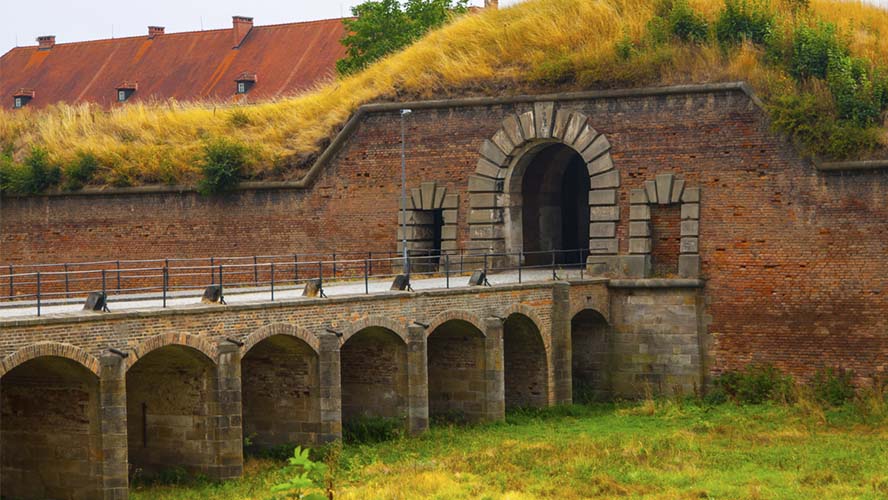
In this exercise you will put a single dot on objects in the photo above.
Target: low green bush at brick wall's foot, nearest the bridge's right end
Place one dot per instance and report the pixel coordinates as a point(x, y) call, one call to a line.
point(757, 384)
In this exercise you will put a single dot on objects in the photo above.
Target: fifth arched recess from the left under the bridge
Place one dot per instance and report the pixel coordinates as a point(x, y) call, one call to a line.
point(456, 371)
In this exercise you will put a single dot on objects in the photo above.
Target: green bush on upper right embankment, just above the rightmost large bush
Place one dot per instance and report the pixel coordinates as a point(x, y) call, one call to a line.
point(812, 48)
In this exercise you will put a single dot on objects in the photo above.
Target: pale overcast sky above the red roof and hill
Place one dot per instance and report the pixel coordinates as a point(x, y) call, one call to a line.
point(77, 20)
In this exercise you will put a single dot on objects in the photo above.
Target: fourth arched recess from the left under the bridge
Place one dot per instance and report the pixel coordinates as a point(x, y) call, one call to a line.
point(373, 365)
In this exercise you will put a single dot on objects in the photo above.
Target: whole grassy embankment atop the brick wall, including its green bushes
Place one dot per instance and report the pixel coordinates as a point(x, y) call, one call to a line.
point(535, 46)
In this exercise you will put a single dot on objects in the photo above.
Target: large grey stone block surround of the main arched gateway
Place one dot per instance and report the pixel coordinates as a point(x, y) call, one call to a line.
point(547, 122)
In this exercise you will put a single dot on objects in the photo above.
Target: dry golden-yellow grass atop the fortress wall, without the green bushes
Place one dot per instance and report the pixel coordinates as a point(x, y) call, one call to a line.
point(161, 143)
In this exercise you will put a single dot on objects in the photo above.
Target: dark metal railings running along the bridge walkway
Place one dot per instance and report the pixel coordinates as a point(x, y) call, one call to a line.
point(163, 279)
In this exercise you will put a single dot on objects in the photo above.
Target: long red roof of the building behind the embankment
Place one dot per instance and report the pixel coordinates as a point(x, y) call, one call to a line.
point(199, 65)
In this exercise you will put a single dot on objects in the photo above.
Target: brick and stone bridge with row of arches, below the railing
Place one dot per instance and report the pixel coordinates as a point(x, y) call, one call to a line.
point(90, 401)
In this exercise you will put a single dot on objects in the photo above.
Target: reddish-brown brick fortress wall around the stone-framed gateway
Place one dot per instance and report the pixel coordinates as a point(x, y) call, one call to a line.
point(794, 258)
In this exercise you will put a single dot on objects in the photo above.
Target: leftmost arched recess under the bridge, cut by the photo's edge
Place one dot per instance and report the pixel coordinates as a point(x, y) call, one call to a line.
point(50, 438)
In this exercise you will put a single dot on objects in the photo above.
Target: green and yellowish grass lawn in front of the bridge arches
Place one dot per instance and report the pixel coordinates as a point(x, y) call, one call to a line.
point(653, 450)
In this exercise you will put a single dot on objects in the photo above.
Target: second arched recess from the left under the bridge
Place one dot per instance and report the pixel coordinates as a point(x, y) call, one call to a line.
point(170, 401)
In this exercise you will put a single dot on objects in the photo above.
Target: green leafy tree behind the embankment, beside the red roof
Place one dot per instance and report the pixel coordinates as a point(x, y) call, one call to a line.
point(381, 27)
